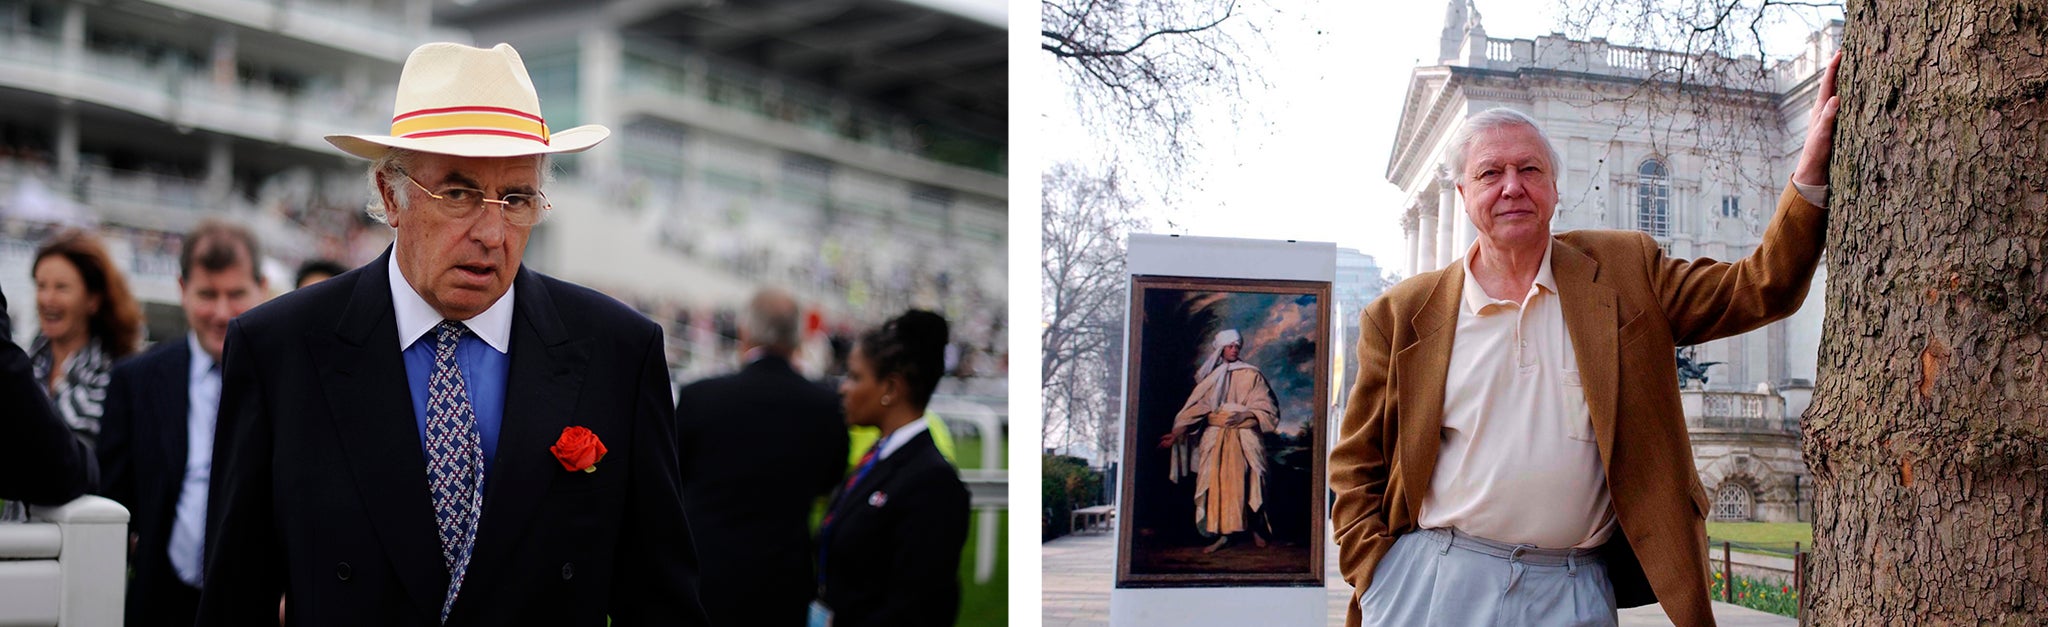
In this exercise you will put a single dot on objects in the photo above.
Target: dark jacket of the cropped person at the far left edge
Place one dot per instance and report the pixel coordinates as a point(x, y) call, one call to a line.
point(46, 464)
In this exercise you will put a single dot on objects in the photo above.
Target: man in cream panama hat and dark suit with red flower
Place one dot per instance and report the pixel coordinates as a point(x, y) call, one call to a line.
point(445, 437)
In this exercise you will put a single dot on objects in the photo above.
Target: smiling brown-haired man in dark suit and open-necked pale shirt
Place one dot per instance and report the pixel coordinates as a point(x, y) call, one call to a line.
point(157, 437)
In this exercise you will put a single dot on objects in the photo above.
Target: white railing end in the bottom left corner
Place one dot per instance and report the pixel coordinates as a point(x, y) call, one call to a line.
point(67, 567)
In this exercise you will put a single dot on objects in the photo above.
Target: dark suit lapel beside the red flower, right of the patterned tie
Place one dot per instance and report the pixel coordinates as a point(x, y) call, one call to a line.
point(542, 392)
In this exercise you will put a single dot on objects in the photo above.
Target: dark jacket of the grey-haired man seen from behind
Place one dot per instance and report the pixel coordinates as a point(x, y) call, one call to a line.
point(759, 450)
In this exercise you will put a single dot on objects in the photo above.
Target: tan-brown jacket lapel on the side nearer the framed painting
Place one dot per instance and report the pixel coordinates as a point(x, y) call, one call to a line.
point(1424, 370)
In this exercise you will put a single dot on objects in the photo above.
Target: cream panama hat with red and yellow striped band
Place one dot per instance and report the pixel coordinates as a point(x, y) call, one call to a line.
point(468, 101)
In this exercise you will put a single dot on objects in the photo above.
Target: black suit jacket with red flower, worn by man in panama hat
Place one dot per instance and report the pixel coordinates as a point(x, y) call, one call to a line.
point(321, 480)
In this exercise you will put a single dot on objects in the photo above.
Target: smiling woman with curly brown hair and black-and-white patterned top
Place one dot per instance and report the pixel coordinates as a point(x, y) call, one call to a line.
point(89, 321)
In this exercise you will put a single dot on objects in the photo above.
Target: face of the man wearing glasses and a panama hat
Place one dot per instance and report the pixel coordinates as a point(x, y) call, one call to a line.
point(462, 265)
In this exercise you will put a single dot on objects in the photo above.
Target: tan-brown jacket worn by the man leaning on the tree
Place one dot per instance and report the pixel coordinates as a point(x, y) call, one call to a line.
point(1627, 308)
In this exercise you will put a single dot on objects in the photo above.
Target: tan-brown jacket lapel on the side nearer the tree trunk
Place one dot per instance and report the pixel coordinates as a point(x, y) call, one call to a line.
point(1592, 323)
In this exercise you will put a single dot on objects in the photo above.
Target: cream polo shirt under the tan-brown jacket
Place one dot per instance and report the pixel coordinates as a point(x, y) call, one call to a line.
point(1519, 462)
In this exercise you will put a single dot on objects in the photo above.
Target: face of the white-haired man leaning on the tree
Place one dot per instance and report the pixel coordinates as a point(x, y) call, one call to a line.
point(1510, 187)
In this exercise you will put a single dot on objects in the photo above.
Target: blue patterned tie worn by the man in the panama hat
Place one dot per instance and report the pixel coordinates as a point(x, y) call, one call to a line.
point(454, 458)
